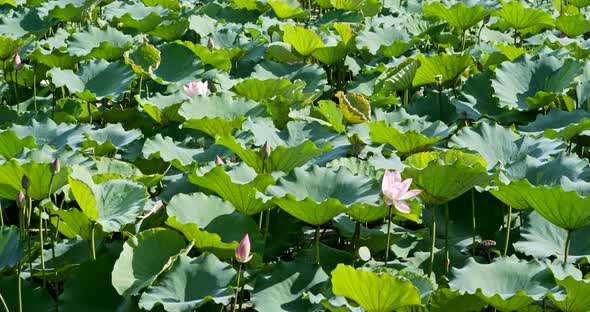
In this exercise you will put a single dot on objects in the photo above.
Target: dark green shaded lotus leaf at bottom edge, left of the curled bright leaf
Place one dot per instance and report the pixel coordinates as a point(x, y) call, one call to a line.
point(91, 278)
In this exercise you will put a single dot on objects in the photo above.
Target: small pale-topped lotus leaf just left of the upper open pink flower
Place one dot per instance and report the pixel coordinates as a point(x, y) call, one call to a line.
point(163, 108)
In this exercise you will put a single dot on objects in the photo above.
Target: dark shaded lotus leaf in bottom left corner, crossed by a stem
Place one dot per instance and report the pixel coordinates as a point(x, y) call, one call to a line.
point(37, 299)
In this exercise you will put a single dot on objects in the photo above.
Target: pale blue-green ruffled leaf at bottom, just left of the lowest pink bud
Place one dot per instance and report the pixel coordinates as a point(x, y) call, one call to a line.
point(191, 283)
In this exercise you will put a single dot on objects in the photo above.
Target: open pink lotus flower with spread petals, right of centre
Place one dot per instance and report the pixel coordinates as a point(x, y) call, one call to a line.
point(397, 191)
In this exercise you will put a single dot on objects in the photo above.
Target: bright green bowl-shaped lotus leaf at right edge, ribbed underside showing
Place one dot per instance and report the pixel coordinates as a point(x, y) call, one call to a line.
point(567, 209)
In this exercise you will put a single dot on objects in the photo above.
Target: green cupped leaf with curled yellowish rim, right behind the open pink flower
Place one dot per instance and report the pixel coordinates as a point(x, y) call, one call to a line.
point(445, 175)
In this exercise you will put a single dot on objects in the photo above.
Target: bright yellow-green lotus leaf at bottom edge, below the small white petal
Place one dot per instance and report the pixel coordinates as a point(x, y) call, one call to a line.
point(380, 292)
